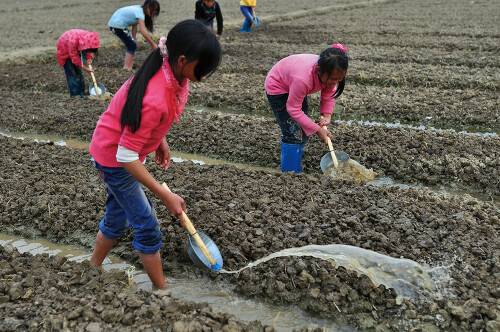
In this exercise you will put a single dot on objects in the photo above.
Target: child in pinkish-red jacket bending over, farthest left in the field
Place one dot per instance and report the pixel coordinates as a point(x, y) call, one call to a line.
point(75, 50)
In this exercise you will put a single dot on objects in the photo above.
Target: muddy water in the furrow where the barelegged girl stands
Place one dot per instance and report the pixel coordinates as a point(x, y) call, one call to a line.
point(201, 290)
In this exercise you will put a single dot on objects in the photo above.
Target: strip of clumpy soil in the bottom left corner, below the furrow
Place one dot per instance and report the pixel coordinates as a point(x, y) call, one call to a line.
point(67, 296)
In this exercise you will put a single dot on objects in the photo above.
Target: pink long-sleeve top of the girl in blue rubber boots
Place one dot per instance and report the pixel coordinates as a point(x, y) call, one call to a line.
point(296, 75)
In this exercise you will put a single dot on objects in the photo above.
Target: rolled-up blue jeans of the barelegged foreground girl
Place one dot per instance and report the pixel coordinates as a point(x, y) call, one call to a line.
point(128, 205)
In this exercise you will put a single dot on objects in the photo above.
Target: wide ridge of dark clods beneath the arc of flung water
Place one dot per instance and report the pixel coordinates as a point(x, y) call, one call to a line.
point(54, 192)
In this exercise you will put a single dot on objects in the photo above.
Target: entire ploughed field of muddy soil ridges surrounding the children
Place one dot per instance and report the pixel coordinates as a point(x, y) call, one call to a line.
point(435, 64)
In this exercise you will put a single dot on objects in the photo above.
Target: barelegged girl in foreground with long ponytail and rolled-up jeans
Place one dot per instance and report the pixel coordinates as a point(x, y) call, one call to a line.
point(134, 125)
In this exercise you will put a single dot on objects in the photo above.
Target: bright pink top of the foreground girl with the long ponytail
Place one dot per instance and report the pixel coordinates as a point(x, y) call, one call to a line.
point(163, 103)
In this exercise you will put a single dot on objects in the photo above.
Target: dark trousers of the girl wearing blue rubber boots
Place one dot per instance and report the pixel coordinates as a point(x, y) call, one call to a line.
point(292, 132)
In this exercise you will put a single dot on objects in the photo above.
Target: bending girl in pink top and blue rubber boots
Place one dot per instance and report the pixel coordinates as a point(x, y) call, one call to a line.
point(287, 86)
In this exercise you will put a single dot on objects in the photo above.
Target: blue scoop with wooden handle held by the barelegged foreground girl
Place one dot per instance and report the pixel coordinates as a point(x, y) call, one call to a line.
point(201, 249)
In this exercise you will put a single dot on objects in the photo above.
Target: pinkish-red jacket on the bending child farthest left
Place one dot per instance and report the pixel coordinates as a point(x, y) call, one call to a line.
point(73, 41)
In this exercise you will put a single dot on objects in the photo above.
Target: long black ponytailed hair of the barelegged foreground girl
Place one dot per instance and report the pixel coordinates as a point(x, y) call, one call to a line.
point(190, 38)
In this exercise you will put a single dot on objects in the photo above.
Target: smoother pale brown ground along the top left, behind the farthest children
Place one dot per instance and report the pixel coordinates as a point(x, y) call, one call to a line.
point(46, 21)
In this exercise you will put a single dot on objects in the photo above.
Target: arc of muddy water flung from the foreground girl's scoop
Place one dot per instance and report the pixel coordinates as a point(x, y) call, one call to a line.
point(408, 278)
